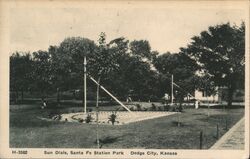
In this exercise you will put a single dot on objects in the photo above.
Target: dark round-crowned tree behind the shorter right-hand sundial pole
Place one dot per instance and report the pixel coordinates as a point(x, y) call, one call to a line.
point(183, 69)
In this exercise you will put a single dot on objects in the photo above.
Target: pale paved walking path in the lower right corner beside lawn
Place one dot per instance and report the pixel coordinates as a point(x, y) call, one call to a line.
point(233, 139)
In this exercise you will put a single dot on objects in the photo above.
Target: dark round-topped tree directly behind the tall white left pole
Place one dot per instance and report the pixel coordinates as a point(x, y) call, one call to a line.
point(67, 62)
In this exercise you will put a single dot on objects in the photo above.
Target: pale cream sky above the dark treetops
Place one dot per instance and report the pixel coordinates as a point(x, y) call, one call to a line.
point(166, 29)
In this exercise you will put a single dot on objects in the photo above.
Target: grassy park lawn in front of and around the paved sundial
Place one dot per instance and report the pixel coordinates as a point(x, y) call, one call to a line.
point(27, 130)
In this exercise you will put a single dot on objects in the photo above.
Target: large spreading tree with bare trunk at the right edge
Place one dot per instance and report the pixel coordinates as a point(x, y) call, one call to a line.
point(220, 51)
